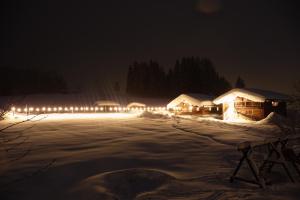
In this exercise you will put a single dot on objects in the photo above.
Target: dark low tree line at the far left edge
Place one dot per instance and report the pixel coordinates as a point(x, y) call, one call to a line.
point(17, 81)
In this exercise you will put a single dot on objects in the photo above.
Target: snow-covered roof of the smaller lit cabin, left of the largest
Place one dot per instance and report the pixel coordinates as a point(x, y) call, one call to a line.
point(192, 99)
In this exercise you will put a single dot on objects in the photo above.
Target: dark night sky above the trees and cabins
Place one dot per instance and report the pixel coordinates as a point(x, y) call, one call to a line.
point(96, 41)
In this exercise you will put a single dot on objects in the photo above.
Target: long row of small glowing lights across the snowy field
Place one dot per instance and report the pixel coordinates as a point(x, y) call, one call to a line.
point(84, 109)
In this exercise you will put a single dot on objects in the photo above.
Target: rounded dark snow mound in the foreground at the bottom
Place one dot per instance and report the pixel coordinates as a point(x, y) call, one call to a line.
point(123, 184)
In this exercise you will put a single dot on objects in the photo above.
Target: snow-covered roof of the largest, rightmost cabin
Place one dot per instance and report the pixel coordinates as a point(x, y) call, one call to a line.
point(256, 95)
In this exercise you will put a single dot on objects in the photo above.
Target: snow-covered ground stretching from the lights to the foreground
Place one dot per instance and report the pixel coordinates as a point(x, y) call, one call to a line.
point(130, 156)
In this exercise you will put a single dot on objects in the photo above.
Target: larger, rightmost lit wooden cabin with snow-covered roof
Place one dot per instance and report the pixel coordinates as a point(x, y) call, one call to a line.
point(251, 104)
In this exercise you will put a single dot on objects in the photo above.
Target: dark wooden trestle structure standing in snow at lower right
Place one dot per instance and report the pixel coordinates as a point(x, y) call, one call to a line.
point(277, 153)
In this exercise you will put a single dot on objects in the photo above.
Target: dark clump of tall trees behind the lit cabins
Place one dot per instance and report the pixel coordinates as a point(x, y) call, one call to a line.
point(189, 75)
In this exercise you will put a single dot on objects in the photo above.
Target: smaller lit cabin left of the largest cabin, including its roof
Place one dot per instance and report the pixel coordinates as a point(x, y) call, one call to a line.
point(193, 103)
